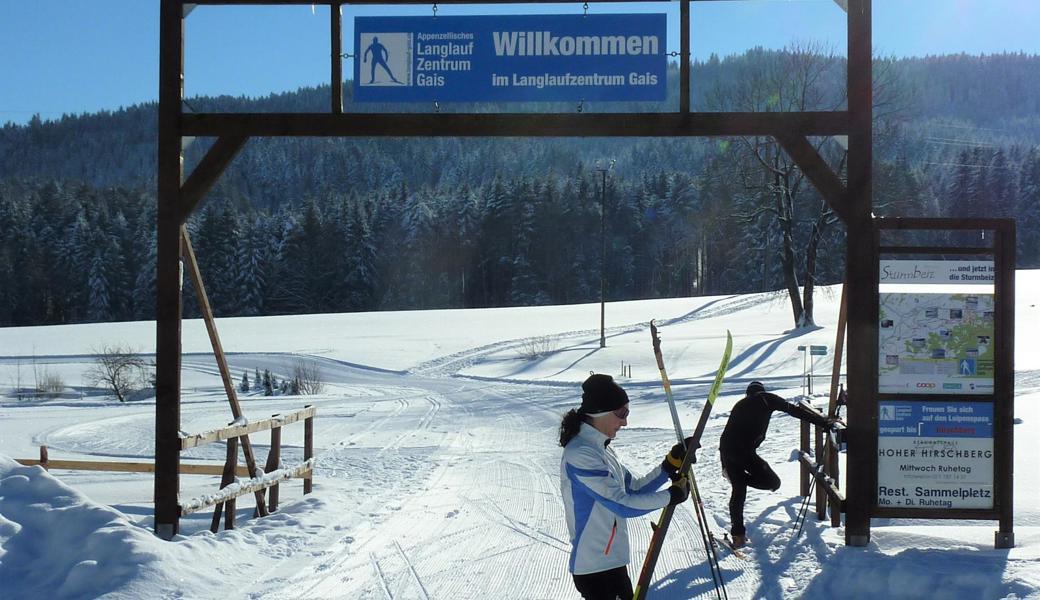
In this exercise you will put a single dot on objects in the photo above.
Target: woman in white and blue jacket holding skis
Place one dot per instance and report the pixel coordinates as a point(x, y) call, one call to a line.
point(601, 493)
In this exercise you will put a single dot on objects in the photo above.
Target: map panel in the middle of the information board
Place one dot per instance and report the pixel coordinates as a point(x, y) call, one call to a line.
point(937, 344)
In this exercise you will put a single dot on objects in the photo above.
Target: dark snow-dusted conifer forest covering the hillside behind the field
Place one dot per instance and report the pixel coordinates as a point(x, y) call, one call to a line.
point(334, 225)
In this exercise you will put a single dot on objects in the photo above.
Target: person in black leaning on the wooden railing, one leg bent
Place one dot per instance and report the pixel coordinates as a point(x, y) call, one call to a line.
point(745, 432)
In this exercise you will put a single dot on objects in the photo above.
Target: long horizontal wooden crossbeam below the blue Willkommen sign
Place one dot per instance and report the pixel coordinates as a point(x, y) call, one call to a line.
point(516, 124)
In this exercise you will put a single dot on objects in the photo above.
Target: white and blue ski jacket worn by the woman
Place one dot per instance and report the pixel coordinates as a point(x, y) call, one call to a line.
point(600, 495)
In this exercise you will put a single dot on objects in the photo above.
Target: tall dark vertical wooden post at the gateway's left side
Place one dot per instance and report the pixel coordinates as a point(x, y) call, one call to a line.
point(168, 280)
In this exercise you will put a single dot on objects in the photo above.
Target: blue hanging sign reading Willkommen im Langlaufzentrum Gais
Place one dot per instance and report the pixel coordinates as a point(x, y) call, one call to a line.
point(515, 59)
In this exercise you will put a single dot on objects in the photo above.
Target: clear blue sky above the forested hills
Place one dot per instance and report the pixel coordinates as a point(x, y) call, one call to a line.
point(71, 57)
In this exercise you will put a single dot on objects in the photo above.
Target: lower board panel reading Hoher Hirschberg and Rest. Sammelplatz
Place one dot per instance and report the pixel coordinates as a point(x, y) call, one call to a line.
point(935, 455)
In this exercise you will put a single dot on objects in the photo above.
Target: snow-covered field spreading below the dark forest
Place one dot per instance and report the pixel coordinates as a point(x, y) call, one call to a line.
point(438, 464)
